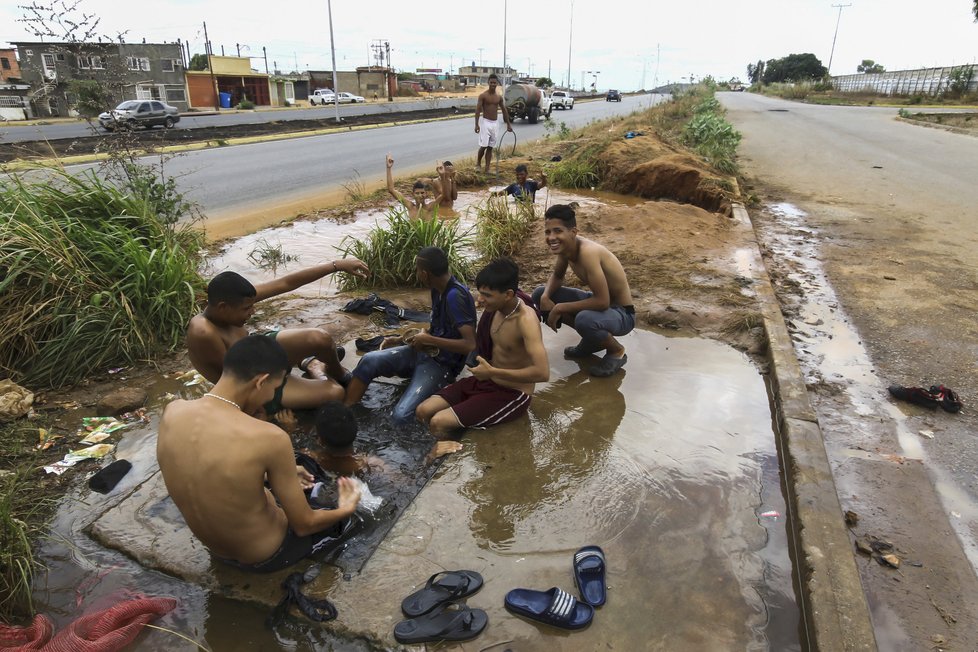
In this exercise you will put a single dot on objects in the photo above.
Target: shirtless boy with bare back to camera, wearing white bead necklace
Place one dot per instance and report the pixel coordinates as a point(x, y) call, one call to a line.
point(215, 460)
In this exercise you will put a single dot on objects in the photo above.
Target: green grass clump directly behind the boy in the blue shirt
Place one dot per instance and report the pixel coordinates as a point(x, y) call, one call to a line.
point(389, 250)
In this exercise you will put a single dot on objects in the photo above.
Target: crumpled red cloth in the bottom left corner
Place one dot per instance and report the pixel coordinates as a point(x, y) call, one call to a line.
point(103, 631)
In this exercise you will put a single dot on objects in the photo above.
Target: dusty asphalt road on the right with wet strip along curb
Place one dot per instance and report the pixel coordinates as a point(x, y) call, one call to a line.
point(868, 223)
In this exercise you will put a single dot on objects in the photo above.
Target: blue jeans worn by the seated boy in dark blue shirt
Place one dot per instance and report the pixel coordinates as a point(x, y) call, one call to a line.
point(427, 376)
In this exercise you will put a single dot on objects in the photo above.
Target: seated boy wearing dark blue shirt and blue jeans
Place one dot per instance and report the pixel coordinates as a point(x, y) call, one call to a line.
point(430, 359)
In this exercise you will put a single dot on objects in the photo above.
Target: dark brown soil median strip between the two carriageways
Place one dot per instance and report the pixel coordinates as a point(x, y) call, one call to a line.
point(153, 138)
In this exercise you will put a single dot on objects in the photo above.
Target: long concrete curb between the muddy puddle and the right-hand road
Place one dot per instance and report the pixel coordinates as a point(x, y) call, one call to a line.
point(834, 611)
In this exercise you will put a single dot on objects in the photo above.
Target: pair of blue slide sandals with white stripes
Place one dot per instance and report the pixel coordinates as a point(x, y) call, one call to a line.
point(558, 608)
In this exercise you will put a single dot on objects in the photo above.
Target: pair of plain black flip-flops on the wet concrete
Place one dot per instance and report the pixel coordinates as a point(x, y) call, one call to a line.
point(434, 613)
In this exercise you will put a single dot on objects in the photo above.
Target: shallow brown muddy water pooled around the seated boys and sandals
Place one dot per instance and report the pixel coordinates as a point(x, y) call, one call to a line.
point(670, 466)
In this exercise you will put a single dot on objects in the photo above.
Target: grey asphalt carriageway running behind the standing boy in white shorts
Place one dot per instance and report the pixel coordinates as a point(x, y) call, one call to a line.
point(264, 175)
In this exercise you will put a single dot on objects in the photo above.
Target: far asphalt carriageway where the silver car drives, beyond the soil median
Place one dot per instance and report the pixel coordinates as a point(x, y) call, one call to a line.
point(76, 129)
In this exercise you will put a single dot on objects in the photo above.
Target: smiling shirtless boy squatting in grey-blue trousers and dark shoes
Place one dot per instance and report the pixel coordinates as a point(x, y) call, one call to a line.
point(597, 315)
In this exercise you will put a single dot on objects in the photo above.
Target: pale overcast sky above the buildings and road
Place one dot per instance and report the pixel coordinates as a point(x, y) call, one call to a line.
point(623, 44)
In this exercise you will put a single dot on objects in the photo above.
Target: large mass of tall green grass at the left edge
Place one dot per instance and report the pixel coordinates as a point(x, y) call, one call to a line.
point(91, 275)
